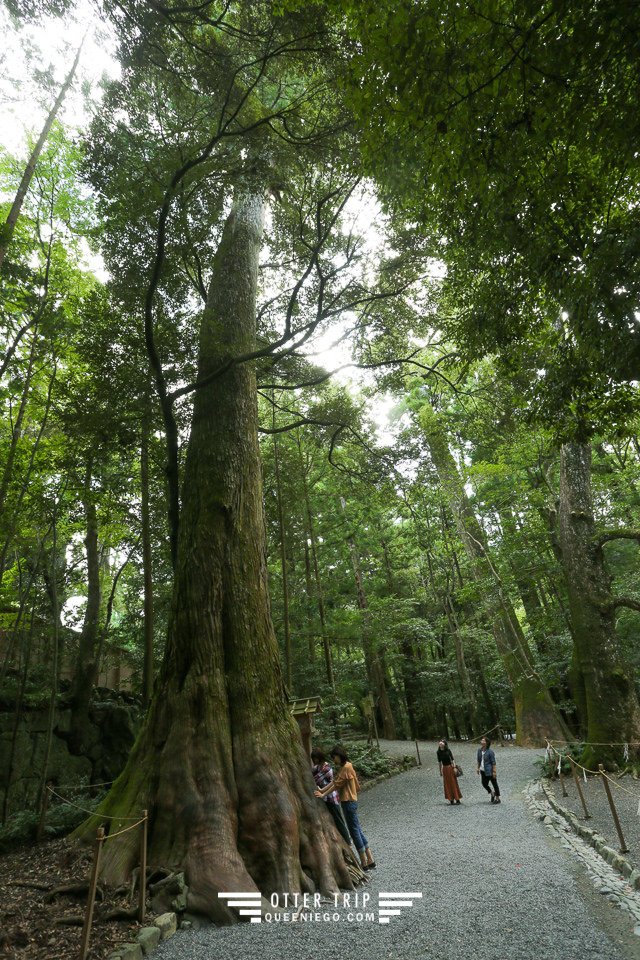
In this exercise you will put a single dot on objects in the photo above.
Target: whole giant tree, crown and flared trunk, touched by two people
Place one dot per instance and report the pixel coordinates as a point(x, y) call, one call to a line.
point(219, 762)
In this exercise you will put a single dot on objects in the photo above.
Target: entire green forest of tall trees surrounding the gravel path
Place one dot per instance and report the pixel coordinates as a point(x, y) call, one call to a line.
point(318, 370)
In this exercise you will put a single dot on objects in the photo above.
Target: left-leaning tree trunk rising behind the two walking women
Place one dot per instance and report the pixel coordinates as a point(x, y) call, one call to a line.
point(536, 715)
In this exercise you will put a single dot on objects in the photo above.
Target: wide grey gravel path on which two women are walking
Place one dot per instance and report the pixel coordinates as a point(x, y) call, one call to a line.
point(468, 861)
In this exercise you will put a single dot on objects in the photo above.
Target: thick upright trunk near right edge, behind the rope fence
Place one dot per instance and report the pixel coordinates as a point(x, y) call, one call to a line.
point(610, 699)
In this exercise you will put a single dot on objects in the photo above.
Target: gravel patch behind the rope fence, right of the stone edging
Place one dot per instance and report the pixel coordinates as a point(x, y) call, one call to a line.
point(626, 796)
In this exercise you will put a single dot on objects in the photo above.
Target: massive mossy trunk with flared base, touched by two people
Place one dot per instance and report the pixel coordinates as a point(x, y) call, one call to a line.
point(219, 761)
